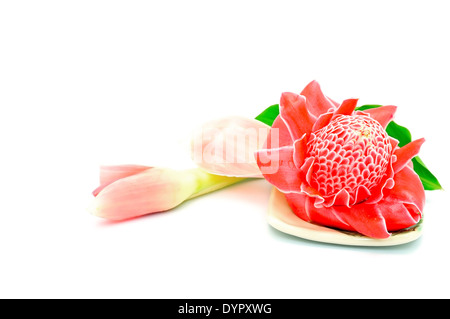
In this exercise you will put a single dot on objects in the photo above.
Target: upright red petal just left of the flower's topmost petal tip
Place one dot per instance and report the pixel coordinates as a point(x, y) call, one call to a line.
point(295, 115)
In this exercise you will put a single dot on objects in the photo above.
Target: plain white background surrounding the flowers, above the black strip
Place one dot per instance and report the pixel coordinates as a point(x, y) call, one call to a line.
point(84, 83)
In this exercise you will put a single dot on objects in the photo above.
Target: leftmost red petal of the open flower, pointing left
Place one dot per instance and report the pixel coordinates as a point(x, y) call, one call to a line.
point(277, 166)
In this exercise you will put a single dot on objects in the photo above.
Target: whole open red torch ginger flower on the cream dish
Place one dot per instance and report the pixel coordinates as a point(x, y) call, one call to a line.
point(338, 167)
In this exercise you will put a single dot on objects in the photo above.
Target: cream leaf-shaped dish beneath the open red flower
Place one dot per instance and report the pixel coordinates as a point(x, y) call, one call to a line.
point(281, 217)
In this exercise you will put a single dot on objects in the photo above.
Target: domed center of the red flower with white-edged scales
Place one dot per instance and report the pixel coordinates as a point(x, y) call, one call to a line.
point(350, 152)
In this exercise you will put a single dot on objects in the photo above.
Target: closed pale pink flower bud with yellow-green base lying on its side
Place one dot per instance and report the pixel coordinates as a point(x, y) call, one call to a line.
point(130, 191)
